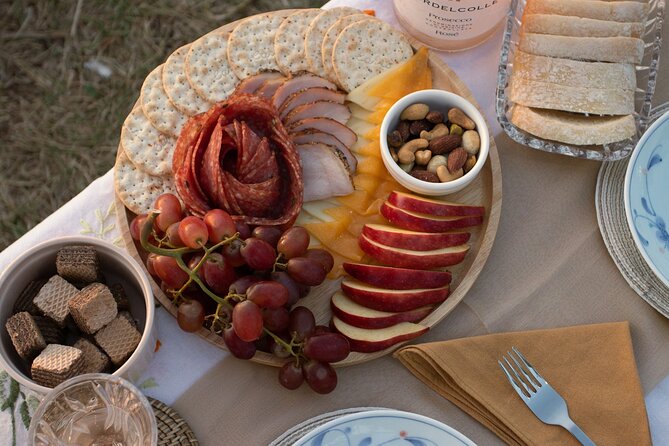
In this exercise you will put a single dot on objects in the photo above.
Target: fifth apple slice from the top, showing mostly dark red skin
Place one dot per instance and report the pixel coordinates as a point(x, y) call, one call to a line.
point(397, 278)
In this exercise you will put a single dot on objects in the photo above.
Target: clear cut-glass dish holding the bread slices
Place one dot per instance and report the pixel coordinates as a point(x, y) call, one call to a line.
point(646, 81)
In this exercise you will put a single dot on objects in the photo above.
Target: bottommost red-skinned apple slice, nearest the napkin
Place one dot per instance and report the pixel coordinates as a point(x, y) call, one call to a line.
point(367, 340)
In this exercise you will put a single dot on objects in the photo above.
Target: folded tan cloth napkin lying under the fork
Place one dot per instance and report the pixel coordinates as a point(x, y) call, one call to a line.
point(591, 366)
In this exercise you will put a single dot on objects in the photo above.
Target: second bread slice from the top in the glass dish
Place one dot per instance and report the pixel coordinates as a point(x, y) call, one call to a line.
point(561, 25)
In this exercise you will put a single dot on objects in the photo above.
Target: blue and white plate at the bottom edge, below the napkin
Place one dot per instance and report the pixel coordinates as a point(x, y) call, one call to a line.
point(384, 428)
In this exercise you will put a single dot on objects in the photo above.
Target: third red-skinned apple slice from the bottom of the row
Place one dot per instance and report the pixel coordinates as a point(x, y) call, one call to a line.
point(383, 299)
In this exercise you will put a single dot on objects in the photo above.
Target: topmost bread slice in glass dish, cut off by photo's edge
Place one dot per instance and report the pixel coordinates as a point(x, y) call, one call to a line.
point(625, 11)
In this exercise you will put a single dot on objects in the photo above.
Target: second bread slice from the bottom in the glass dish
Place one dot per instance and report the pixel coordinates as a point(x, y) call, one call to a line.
point(600, 101)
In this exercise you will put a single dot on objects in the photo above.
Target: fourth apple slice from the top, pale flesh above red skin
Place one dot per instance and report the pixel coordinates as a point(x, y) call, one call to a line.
point(406, 258)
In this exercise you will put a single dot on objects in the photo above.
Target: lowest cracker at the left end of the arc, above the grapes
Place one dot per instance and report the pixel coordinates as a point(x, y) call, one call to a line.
point(137, 189)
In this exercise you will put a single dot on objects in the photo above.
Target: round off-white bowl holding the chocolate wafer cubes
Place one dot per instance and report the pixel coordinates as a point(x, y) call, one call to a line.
point(117, 267)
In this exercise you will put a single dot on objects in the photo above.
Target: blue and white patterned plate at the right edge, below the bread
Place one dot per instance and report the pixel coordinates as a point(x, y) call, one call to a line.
point(647, 197)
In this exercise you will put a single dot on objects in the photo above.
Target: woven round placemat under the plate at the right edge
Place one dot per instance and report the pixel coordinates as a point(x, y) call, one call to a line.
point(610, 205)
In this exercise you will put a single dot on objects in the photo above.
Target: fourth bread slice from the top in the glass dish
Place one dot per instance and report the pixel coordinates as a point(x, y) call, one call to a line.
point(574, 73)
